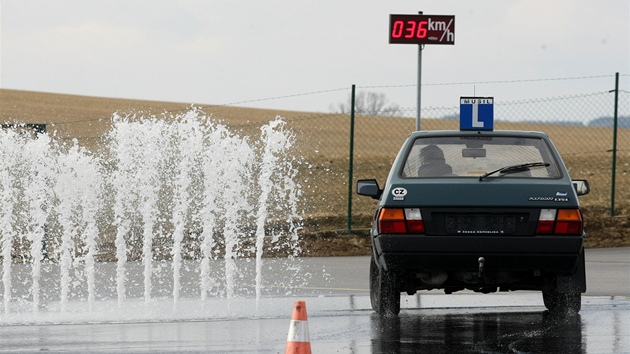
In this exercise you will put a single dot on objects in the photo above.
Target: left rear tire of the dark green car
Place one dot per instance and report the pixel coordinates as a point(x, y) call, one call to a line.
point(384, 291)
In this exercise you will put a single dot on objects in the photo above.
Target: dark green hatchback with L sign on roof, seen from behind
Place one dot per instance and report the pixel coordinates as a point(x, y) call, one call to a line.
point(485, 211)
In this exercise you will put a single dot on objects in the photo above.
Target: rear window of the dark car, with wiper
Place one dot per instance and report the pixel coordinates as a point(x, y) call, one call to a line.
point(475, 156)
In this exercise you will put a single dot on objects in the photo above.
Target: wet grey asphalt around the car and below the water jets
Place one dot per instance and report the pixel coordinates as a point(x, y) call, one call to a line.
point(340, 321)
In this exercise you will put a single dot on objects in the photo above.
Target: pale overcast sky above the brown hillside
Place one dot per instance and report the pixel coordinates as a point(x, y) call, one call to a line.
point(226, 52)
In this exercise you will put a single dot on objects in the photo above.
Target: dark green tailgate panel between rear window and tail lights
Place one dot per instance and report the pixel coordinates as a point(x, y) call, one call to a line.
point(490, 192)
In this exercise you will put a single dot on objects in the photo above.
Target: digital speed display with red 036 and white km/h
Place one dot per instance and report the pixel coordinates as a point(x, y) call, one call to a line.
point(422, 29)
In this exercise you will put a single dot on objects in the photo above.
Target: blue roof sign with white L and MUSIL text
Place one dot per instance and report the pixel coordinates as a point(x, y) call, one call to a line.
point(476, 113)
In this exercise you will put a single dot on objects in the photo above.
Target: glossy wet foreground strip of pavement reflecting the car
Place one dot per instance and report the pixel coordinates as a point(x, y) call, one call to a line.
point(602, 327)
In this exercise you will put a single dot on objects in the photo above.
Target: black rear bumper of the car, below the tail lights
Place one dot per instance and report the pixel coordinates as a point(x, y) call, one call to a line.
point(418, 252)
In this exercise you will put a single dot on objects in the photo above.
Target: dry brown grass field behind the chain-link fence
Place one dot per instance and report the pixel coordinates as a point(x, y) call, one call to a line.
point(322, 143)
